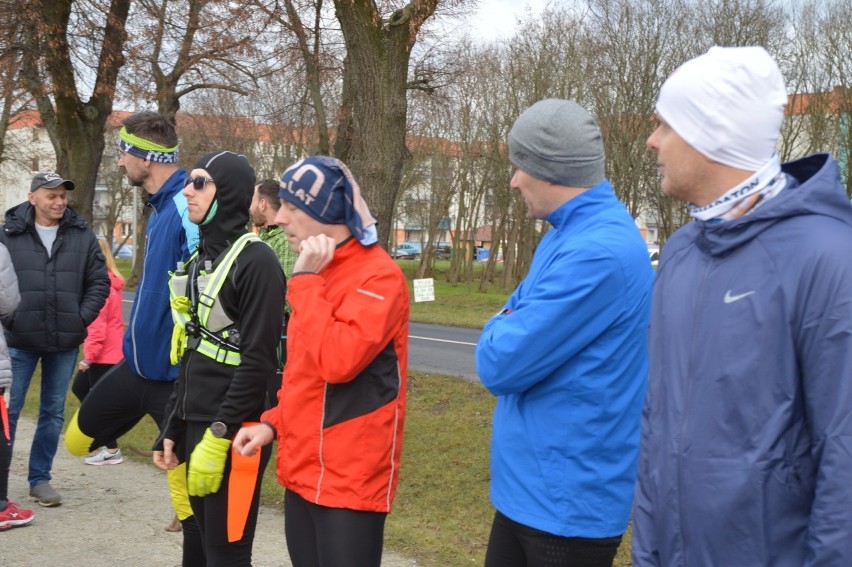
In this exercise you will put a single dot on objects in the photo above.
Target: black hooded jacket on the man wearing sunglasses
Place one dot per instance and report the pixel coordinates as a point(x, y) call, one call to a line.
point(252, 297)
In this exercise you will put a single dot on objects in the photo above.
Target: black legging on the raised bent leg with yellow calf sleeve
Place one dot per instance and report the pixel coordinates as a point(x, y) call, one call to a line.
point(118, 401)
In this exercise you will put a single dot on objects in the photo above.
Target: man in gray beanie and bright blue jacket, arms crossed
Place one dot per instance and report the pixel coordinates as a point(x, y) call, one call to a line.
point(566, 356)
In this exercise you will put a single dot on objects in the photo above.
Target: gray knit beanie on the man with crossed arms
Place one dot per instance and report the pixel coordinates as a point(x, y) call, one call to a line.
point(558, 141)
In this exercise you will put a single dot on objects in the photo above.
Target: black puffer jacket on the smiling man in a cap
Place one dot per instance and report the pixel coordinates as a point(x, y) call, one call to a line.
point(61, 293)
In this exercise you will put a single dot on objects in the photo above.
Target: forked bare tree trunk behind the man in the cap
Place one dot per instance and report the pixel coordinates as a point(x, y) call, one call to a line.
point(57, 60)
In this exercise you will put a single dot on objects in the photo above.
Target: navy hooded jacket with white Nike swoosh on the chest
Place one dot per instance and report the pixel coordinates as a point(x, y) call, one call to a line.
point(746, 455)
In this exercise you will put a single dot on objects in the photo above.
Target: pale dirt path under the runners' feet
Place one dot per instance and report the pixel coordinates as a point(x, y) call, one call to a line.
point(115, 515)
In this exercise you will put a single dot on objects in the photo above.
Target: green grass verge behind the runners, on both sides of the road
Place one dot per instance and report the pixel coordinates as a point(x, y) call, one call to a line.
point(442, 514)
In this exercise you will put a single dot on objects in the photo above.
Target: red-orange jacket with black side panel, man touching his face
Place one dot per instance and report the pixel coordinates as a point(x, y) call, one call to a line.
point(341, 406)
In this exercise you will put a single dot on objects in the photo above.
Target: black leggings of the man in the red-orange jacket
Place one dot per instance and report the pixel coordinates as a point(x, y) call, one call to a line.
point(318, 536)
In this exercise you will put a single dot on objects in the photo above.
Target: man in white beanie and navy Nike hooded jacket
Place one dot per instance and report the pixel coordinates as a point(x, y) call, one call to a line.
point(746, 434)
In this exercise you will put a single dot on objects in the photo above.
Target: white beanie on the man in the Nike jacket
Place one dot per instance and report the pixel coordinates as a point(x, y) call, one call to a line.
point(728, 104)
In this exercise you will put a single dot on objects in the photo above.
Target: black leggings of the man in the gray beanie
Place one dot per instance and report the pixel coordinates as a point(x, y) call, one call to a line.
point(515, 545)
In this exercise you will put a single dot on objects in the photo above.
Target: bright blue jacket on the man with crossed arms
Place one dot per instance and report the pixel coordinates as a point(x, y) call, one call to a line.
point(567, 359)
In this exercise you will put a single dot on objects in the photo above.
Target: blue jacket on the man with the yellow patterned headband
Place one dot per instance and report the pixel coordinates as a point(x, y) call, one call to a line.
point(169, 236)
